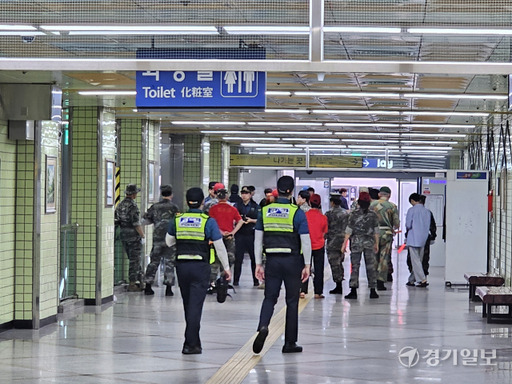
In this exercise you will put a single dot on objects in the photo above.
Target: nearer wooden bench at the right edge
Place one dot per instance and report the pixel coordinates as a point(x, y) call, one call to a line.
point(492, 298)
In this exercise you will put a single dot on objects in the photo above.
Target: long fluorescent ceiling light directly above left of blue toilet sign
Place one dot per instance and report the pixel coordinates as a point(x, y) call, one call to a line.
point(132, 29)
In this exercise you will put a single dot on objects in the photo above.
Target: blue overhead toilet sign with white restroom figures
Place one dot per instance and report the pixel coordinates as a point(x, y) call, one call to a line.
point(212, 90)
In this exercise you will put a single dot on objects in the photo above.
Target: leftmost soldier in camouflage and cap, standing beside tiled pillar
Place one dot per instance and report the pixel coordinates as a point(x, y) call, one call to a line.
point(127, 217)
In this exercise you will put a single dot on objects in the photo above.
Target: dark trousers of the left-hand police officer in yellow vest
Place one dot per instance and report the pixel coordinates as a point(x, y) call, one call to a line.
point(193, 279)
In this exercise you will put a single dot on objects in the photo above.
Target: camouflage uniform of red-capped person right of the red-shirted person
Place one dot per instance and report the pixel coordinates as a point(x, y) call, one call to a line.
point(362, 228)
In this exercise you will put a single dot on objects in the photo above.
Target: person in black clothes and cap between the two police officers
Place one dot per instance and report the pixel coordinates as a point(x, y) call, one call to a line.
point(244, 238)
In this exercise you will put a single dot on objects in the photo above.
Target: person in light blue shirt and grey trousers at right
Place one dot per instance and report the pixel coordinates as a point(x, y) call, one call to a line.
point(417, 224)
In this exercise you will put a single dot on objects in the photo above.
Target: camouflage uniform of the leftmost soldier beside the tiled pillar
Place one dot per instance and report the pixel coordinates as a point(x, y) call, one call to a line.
point(127, 216)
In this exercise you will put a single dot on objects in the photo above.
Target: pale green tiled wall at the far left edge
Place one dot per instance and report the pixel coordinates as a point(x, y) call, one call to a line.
point(7, 231)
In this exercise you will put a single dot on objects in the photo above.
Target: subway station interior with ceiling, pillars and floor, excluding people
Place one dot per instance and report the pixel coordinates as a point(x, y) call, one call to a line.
point(95, 95)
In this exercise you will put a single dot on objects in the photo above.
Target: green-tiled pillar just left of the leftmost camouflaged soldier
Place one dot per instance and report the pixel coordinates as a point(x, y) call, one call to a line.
point(88, 202)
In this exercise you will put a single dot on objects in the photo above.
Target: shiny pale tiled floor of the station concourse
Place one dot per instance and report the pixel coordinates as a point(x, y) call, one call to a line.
point(138, 339)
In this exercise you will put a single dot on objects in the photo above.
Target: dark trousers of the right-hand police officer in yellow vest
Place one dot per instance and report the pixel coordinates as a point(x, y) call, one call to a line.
point(279, 269)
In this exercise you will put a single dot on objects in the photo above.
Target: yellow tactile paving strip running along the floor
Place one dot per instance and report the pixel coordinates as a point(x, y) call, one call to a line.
point(238, 367)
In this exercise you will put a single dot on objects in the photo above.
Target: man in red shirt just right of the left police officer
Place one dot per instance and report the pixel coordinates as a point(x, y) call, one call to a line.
point(229, 222)
